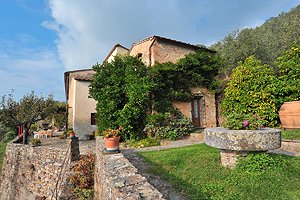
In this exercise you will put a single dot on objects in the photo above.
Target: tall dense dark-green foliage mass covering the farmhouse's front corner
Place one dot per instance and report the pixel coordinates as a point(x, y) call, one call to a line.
point(121, 89)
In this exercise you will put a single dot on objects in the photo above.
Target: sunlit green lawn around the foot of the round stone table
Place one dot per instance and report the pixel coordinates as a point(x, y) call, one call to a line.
point(196, 172)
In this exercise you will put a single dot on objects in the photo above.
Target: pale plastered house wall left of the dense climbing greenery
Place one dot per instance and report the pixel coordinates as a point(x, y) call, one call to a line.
point(83, 107)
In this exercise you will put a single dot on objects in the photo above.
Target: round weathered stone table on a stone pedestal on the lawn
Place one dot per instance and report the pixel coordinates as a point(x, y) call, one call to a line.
point(234, 143)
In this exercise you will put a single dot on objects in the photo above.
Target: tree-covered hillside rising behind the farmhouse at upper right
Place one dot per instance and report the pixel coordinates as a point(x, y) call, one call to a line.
point(266, 42)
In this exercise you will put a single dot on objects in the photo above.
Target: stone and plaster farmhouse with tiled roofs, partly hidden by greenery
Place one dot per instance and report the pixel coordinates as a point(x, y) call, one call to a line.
point(154, 49)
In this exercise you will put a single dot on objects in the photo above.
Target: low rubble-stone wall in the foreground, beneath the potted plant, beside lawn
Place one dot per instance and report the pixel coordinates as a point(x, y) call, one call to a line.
point(117, 178)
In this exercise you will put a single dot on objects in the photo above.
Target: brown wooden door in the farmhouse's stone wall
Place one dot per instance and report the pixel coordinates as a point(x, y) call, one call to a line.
point(198, 111)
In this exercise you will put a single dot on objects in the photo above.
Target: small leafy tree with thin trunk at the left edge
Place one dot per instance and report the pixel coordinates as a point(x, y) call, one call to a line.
point(25, 112)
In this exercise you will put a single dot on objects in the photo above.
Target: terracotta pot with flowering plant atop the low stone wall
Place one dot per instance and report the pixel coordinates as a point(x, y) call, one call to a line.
point(111, 139)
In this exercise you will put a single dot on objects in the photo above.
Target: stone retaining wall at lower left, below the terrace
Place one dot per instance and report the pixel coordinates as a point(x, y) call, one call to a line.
point(33, 172)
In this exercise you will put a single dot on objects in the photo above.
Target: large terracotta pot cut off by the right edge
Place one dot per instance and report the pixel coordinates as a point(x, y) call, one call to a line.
point(289, 115)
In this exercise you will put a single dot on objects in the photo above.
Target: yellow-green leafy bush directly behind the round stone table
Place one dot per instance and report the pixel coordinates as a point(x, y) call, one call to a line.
point(251, 90)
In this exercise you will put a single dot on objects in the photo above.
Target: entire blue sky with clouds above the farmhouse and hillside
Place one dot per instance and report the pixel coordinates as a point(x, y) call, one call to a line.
point(41, 39)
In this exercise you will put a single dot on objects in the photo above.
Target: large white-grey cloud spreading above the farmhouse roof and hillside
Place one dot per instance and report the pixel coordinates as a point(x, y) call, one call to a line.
point(87, 30)
